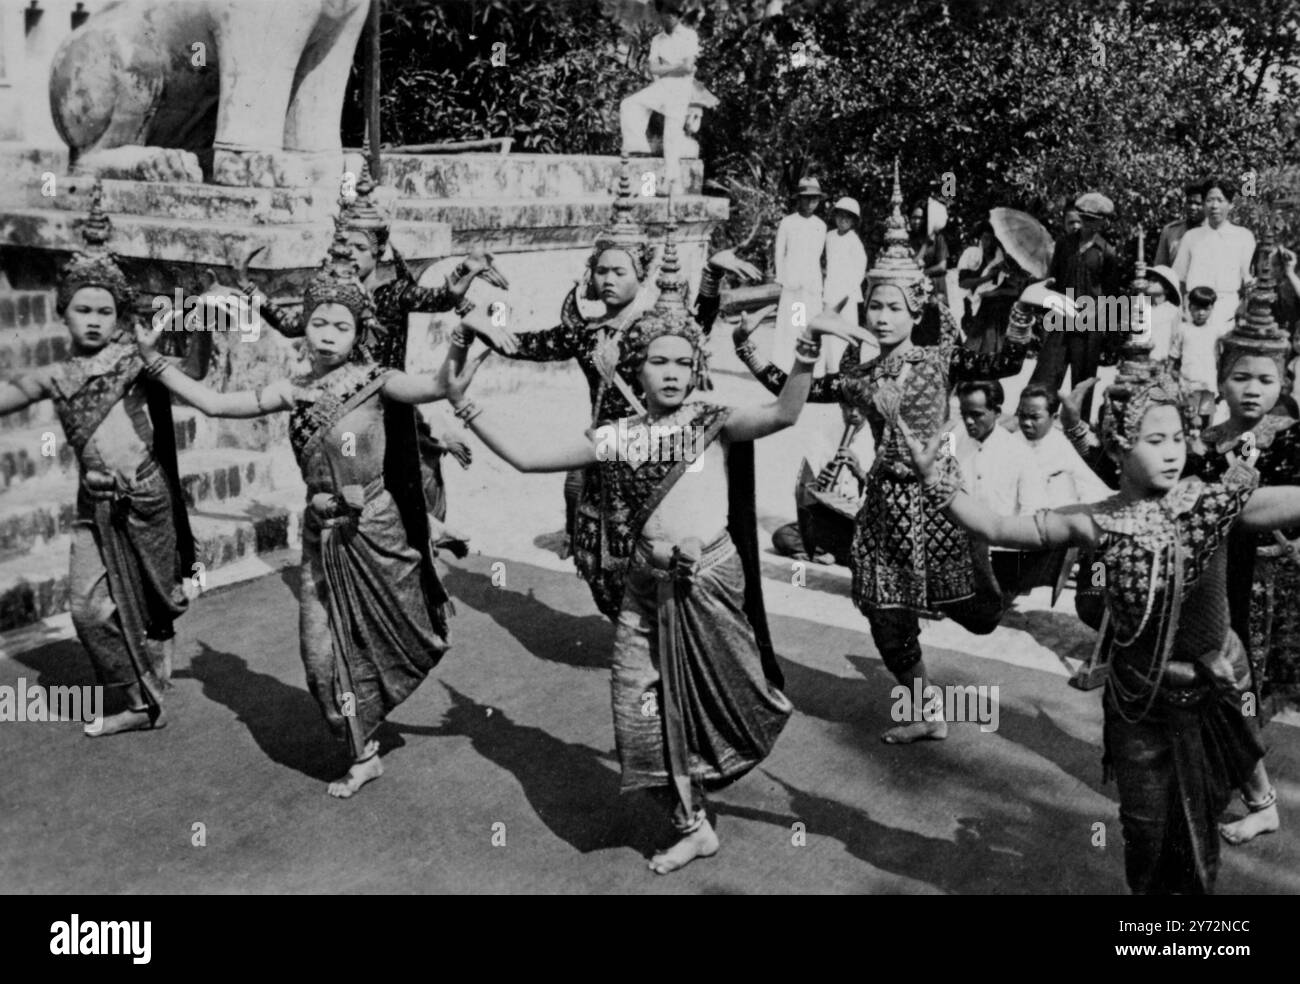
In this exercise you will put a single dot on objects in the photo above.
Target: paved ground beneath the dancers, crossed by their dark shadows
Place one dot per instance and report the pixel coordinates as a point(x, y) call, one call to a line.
point(512, 742)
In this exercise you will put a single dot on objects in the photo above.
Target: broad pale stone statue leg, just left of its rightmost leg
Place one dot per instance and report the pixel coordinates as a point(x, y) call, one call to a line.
point(261, 46)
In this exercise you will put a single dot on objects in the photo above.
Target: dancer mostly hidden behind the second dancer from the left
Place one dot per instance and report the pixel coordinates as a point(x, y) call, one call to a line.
point(395, 302)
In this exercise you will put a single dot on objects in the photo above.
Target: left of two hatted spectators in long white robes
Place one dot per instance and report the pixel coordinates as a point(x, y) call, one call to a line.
point(800, 242)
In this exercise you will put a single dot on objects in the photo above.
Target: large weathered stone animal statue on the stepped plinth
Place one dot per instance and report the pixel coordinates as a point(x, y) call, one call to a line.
point(226, 80)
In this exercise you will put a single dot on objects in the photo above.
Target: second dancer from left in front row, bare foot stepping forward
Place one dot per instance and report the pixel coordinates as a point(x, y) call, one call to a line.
point(372, 622)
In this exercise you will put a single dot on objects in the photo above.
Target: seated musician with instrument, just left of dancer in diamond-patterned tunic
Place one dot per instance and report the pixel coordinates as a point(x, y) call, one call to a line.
point(829, 498)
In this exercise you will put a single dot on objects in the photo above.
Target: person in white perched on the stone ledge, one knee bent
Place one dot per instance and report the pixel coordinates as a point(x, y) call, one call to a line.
point(673, 64)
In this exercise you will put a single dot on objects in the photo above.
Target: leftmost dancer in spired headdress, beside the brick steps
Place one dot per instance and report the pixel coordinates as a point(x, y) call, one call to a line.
point(132, 545)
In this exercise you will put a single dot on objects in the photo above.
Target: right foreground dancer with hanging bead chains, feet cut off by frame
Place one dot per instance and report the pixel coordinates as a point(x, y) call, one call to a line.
point(1176, 735)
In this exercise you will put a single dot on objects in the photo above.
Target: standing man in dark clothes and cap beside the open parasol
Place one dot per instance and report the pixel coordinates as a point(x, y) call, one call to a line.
point(1086, 265)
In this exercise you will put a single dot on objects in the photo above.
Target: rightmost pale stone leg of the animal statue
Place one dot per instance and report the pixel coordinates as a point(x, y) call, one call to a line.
point(317, 110)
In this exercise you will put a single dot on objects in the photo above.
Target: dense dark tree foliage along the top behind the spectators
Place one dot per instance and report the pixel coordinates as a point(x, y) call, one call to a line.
point(1021, 103)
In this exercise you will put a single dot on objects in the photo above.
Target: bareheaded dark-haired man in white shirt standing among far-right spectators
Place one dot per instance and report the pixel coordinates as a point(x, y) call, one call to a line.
point(1217, 254)
